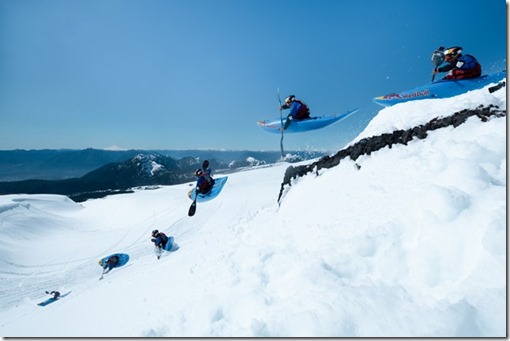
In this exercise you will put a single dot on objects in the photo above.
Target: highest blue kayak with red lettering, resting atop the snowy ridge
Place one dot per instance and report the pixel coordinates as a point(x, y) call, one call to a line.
point(441, 89)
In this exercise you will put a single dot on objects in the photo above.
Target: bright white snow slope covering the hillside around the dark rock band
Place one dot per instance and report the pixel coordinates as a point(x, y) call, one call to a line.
point(411, 244)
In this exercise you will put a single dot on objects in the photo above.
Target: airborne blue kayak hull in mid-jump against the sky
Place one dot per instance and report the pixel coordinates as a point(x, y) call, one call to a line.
point(299, 126)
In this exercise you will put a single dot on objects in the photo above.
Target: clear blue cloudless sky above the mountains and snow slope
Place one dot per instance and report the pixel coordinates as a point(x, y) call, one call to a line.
point(179, 74)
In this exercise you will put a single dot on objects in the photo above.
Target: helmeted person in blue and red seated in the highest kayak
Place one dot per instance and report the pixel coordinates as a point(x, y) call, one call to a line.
point(459, 66)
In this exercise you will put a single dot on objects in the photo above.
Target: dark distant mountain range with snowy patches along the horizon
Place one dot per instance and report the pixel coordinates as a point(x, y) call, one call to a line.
point(93, 173)
